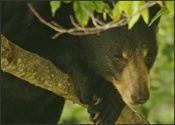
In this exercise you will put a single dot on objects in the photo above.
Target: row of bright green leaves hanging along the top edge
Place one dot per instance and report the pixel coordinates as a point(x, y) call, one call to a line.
point(84, 9)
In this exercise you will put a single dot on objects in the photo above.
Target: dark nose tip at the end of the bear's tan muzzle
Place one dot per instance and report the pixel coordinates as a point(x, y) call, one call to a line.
point(140, 98)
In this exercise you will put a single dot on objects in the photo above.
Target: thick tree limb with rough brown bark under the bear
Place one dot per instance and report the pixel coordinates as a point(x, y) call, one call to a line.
point(41, 72)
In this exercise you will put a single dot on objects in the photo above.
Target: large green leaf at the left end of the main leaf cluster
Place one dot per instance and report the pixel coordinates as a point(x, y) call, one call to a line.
point(81, 15)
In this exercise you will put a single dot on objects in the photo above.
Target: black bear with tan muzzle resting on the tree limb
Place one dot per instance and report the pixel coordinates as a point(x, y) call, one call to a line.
point(109, 70)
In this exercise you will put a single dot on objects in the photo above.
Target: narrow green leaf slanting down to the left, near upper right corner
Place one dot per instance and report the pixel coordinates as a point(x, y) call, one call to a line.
point(162, 11)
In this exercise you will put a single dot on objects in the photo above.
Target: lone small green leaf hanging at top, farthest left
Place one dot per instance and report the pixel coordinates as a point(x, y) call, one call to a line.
point(55, 5)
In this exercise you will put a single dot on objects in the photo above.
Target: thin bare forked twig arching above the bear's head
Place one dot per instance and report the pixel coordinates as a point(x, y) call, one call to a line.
point(77, 30)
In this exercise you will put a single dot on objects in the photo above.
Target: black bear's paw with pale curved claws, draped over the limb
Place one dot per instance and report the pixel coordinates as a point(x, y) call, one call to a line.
point(105, 109)
